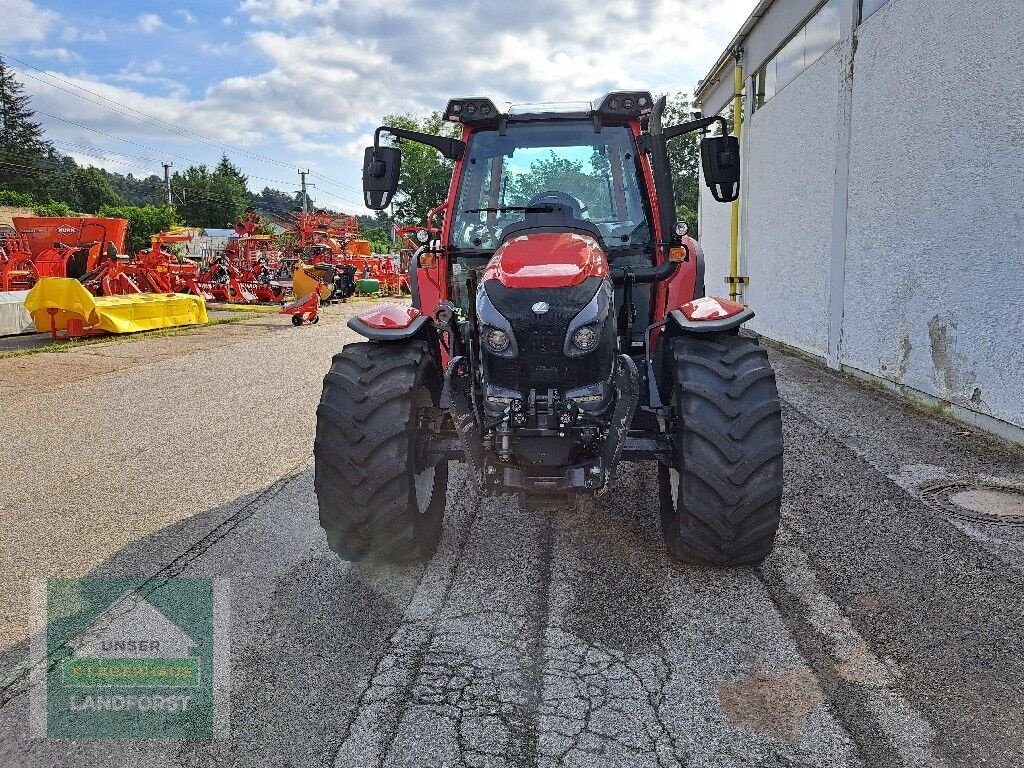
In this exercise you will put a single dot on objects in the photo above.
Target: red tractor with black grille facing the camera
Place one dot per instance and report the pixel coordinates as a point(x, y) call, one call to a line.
point(559, 327)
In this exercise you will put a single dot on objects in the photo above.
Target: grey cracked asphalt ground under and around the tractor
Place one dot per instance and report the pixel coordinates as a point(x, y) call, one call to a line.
point(881, 632)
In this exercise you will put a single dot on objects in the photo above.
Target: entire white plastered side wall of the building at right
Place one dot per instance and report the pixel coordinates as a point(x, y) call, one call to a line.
point(920, 251)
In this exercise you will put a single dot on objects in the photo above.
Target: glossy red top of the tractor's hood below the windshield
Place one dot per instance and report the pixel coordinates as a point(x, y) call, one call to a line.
point(547, 261)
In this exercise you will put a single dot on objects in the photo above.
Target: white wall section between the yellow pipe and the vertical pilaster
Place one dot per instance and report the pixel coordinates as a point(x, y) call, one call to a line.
point(790, 152)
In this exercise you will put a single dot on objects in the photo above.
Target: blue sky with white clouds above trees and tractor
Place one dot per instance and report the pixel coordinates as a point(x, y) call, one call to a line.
point(280, 86)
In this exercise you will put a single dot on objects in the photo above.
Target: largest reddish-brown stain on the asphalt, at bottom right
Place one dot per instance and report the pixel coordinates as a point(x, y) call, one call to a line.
point(777, 704)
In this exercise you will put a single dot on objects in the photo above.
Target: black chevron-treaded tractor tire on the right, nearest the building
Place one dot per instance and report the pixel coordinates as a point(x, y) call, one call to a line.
point(721, 499)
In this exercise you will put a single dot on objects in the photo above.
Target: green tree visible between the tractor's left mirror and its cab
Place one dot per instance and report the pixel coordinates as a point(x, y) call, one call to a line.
point(425, 175)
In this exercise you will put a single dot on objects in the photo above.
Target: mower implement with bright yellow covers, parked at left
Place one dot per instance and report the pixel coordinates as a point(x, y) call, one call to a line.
point(64, 305)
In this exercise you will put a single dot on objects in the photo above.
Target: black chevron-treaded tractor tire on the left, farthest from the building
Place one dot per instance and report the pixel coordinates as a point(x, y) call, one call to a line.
point(380, 497)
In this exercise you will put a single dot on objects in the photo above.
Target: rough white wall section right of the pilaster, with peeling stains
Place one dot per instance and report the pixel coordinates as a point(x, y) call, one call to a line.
point(935, 246)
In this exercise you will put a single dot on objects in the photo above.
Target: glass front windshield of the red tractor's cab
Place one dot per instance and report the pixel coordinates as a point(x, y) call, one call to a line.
point(598, 172)
